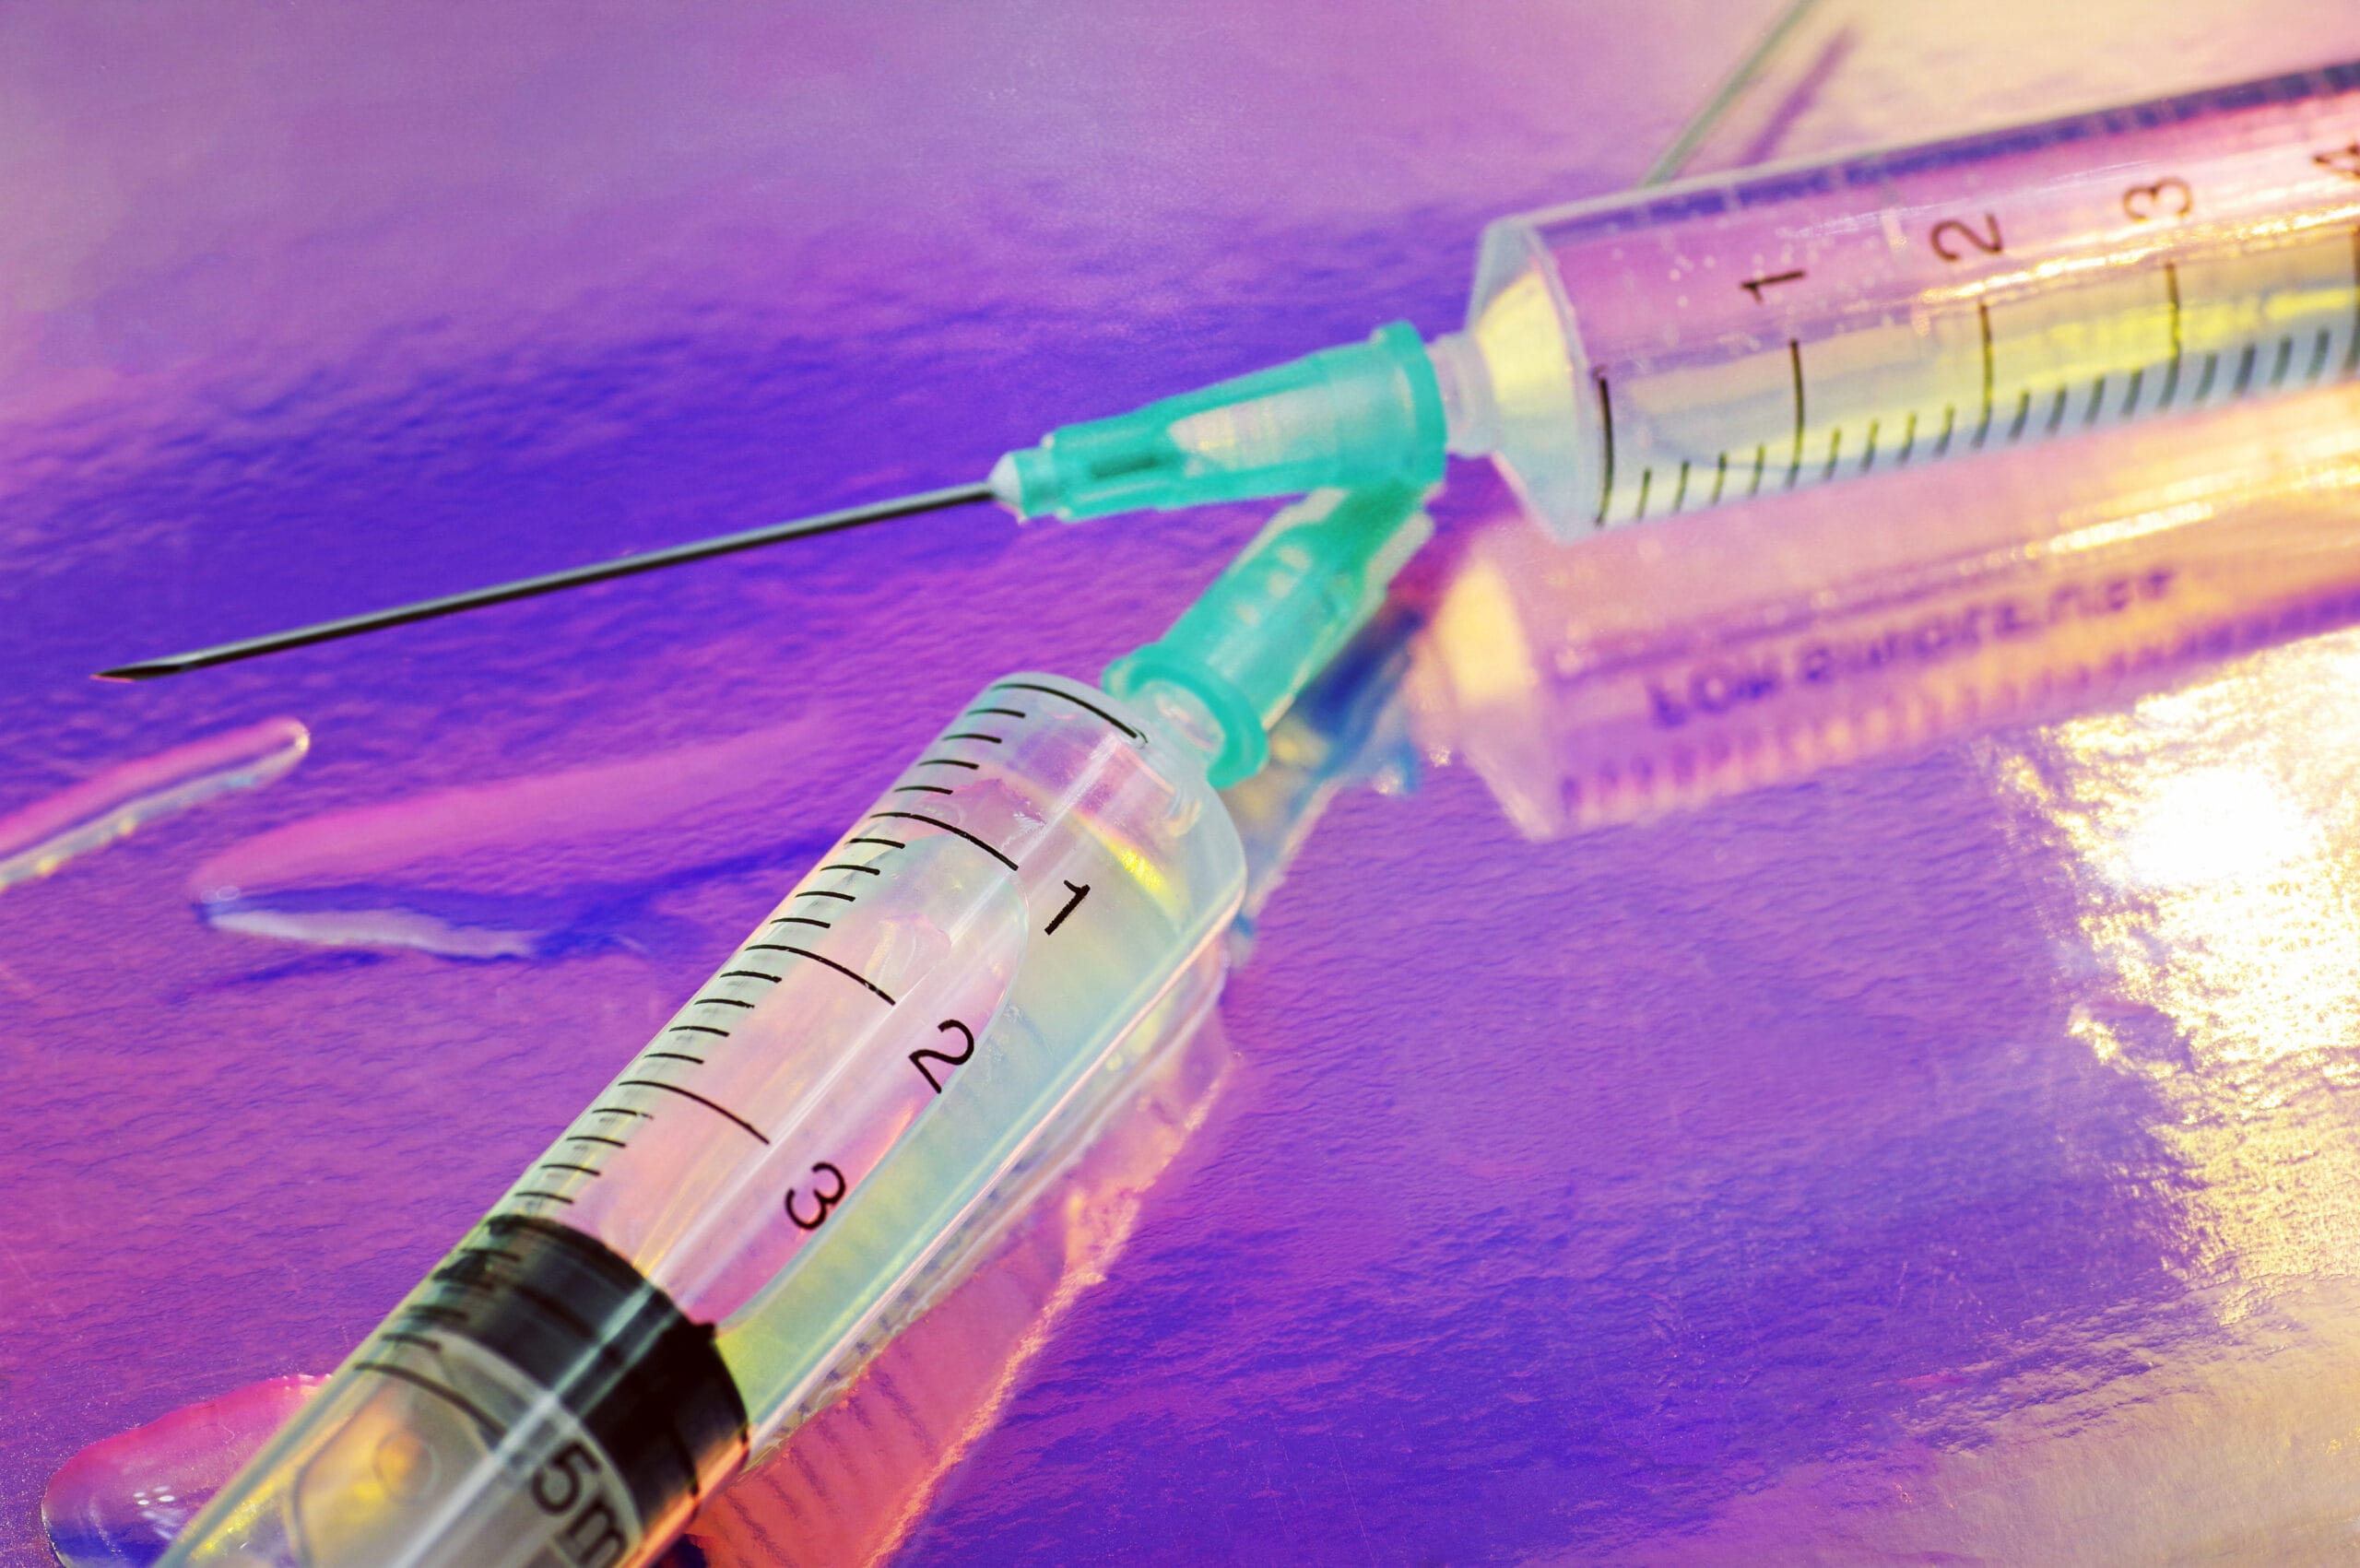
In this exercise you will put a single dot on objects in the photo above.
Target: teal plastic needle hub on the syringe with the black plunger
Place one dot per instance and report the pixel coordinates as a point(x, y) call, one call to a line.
point(1278, 615)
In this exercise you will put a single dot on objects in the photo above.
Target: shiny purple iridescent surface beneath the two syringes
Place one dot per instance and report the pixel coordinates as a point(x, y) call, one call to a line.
point(1674, 1194)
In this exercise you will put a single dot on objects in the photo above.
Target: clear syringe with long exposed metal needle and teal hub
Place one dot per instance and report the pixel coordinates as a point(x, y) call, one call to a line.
point(1757, 334)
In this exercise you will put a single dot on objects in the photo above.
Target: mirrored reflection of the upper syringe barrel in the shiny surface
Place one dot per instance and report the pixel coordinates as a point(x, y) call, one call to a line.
point(1715, 655)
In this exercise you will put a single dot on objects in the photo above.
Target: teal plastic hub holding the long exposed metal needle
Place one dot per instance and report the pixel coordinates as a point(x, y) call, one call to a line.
point(1358, 417)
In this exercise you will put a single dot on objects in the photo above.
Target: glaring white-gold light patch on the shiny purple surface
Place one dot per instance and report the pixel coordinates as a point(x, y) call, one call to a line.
point(2212, 844)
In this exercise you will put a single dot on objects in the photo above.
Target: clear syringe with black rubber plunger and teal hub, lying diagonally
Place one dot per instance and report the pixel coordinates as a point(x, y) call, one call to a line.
point(728, 1229)
